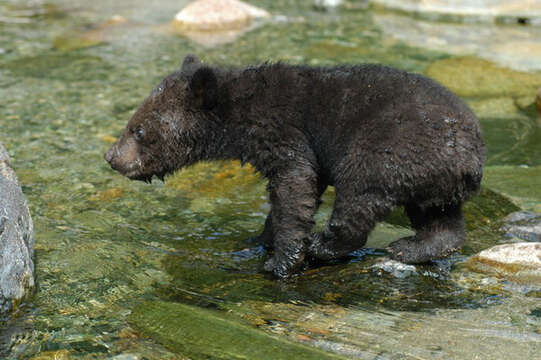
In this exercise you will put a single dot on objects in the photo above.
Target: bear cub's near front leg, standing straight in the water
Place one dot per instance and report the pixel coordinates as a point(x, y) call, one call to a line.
point(294, 197)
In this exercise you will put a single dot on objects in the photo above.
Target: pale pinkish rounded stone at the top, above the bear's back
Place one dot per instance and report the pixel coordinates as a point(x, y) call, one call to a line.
point(213, 15)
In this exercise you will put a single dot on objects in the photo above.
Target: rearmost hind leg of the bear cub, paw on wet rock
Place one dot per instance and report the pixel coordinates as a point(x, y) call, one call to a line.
point(439, 232)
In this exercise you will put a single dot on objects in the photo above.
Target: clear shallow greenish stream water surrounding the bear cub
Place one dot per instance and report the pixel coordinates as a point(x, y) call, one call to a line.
point(69, 80)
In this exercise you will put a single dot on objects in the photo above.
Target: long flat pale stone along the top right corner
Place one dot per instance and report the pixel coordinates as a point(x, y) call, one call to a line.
point(478, 9)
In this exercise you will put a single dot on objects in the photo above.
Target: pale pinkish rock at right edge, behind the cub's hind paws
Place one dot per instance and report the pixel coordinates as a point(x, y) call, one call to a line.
point(519, 260)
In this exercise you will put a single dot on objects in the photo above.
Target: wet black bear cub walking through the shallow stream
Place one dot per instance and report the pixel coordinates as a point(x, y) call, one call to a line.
point(382, 137)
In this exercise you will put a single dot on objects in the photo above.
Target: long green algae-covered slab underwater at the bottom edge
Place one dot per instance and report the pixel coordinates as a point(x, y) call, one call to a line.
point(200, 333)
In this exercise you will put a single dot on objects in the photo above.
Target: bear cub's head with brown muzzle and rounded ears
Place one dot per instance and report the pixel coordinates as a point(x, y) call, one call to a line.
point(175, 126)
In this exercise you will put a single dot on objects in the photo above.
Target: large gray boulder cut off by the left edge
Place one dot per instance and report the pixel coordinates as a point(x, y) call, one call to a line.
point(16, 239)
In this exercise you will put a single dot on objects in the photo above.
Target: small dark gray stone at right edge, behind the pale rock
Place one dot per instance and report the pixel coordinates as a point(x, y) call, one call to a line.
point(524, 225)
